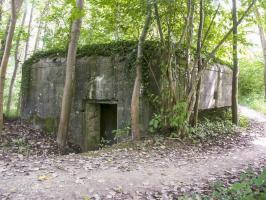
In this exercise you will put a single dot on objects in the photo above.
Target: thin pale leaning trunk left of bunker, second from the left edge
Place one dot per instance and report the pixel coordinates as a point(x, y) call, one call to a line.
point(16, 64)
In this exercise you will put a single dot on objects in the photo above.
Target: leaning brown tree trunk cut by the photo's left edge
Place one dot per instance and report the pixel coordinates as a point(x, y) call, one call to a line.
point(15, 7)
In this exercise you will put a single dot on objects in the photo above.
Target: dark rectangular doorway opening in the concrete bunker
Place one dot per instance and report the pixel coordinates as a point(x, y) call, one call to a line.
point(108, 123)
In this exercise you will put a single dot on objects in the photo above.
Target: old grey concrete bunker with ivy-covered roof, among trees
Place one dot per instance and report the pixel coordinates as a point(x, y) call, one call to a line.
point(103, 89)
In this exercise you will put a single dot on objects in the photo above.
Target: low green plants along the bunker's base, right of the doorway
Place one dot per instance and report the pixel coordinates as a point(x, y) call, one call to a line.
point(213, 123)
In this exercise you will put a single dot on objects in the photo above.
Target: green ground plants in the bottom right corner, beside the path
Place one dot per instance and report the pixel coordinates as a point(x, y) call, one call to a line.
point(250, 186)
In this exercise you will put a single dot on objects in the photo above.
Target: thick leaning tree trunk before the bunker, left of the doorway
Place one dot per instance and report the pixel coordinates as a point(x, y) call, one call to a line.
point(62, 134)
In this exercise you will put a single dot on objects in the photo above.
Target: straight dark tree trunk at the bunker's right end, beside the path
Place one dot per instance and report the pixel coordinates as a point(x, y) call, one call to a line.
point(235, 67)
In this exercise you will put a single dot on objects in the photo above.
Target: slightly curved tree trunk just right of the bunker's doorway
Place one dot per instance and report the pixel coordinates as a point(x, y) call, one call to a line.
point(135, 124)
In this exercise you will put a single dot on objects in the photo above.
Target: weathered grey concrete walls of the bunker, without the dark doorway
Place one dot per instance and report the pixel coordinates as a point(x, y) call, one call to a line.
point(102, 79)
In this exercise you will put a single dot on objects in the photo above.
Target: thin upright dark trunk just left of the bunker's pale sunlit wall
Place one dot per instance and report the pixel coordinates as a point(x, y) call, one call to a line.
point(199, 62)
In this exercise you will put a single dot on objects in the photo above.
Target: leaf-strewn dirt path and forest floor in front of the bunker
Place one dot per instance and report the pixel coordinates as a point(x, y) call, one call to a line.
point(30, 167)
